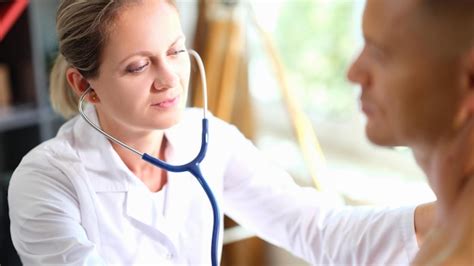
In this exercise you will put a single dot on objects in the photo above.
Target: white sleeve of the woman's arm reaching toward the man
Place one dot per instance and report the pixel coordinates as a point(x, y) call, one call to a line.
point(265, 199)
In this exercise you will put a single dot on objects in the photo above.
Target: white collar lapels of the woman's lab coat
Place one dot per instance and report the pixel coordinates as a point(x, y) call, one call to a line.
point(98, 155)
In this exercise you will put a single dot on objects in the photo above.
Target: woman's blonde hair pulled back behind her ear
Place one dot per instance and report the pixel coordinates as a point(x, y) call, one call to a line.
point(82, 27)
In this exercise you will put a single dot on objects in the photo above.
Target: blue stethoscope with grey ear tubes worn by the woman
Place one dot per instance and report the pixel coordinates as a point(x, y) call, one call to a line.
point(192, 167)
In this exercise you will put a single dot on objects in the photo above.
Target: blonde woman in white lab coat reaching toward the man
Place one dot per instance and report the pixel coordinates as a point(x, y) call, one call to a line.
point(81, 199)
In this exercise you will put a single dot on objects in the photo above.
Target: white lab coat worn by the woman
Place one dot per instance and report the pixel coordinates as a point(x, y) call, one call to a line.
point(73, 201)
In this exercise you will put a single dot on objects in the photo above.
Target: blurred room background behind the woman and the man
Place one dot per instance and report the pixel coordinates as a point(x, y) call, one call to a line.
point(276, 69)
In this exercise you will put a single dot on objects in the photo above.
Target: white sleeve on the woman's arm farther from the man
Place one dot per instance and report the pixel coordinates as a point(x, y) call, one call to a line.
point(45, 218)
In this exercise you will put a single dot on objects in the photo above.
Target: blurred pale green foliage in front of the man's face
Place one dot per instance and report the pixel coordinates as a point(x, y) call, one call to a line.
point(316, 41)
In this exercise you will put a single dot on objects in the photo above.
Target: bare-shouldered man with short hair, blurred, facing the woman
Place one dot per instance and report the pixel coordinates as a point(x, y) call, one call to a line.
point(416, 72)
